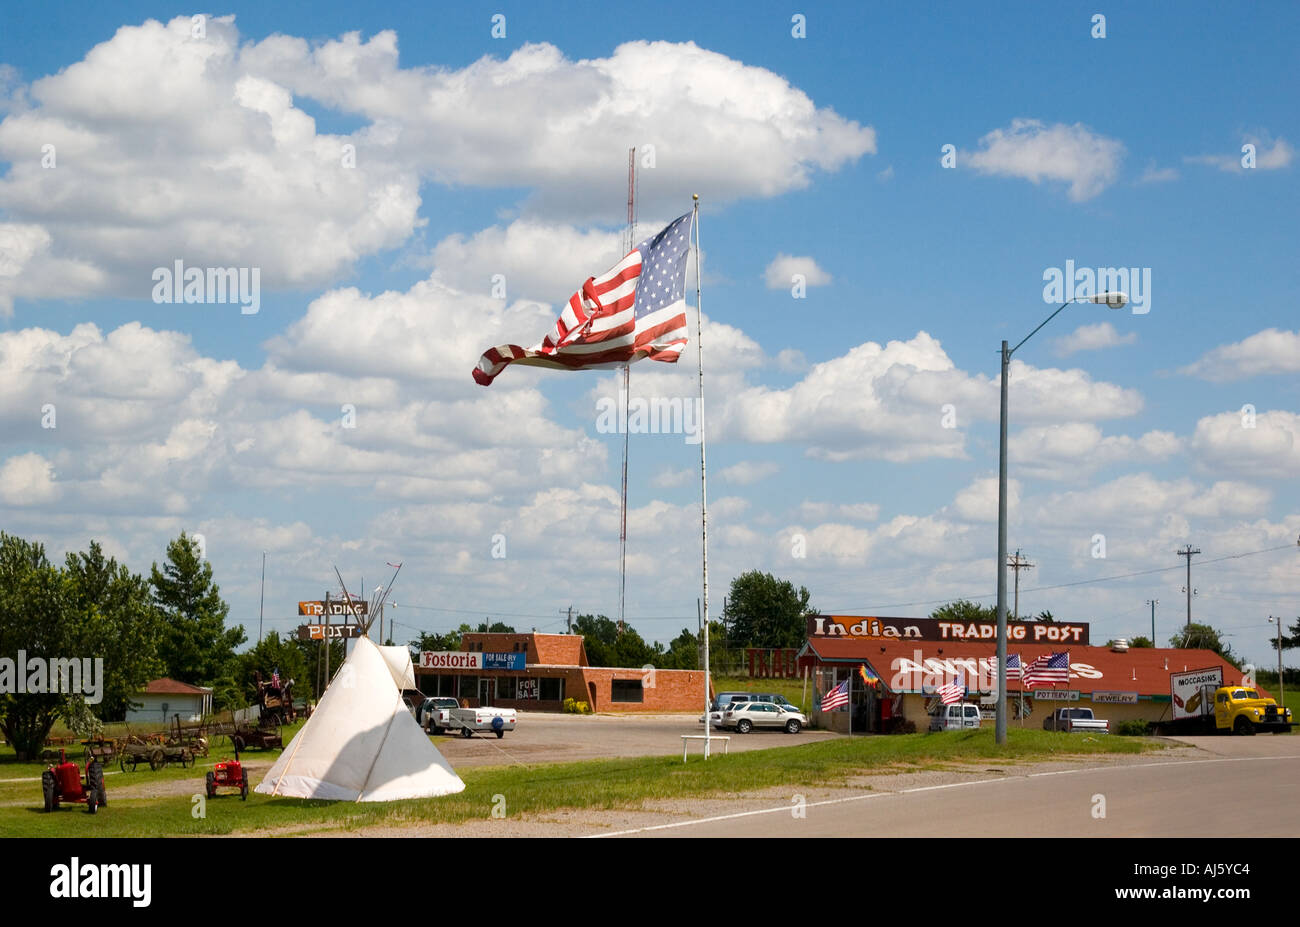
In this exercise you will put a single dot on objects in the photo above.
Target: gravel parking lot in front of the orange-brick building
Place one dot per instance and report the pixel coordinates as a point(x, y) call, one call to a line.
point(543, 738)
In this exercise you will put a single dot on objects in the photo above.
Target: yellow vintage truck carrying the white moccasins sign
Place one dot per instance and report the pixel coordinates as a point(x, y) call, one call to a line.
point(1202, 704)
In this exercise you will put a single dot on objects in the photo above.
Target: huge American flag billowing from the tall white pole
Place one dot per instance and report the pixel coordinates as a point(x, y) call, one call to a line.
point(635, 310)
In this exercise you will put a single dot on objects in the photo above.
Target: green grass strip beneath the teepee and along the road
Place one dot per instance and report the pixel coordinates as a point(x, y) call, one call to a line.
point(596, 785)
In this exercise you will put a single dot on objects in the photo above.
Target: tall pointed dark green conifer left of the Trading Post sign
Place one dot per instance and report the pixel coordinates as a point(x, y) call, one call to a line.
point(197, 647)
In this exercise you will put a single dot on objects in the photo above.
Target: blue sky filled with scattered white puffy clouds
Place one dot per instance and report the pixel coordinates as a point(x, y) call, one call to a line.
point(1117, 151)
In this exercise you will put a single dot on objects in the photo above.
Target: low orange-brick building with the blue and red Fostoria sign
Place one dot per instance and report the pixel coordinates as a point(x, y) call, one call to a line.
point(556, 669)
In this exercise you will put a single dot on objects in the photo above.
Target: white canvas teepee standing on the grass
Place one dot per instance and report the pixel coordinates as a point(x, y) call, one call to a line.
point(362, 743)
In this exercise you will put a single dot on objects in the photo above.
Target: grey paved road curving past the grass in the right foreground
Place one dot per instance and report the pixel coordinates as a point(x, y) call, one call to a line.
point(1233, 787)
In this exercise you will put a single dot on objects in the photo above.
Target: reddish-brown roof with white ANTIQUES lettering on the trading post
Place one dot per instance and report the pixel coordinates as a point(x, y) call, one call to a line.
point(896, 662)
